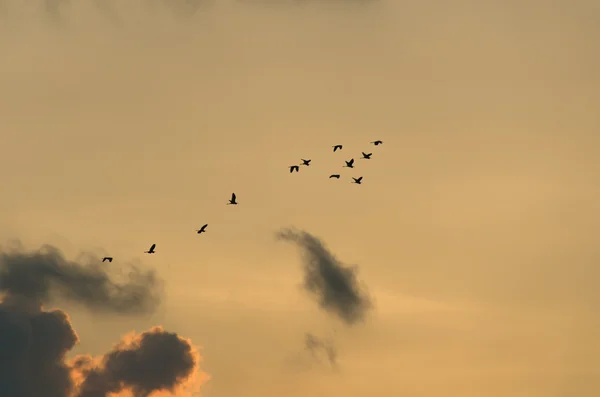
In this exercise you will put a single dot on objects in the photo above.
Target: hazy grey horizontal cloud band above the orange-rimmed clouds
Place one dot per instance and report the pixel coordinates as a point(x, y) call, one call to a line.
point(45, 275)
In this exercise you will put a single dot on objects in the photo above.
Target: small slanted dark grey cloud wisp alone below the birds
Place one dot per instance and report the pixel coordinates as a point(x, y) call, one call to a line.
point(335, 285)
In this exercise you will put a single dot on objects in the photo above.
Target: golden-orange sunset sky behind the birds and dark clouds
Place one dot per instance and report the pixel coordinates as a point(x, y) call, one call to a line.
point(473, 234)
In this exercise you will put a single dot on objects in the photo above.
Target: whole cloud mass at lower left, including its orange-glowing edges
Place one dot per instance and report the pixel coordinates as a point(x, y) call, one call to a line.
point(34, 342)
